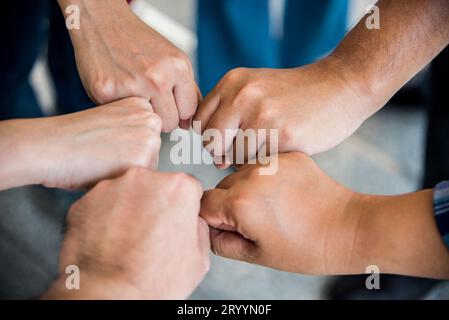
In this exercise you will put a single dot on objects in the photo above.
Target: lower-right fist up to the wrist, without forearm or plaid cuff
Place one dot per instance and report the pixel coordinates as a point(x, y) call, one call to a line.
point(292, 221)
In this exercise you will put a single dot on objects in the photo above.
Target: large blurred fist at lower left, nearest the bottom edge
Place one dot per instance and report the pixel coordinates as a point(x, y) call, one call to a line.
point(136, 237)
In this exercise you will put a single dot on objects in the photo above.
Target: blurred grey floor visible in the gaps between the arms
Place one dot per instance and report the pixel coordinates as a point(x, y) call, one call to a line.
point(384, 156)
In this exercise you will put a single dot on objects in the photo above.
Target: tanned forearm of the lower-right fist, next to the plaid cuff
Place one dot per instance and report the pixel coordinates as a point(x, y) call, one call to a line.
point(399, 235)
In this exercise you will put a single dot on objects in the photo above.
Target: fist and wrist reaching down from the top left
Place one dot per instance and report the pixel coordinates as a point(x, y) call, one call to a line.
point(119, 56)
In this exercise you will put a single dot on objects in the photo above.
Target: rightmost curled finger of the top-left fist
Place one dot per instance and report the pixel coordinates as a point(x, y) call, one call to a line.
point(186, 99)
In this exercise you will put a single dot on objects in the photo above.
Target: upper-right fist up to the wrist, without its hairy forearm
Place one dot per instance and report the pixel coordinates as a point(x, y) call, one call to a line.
point(314, 108)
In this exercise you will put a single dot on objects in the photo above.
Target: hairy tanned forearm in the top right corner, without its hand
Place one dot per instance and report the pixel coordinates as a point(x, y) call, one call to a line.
point(377, 63)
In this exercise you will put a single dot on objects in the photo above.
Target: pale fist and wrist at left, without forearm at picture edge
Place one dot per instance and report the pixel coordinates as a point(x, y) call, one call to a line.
point(78, 150)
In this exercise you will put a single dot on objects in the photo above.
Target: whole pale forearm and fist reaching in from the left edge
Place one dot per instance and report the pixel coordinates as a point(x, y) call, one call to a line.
point(76, 151)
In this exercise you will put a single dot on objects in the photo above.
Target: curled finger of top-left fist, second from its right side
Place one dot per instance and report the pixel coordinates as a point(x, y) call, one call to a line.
point(165, 106)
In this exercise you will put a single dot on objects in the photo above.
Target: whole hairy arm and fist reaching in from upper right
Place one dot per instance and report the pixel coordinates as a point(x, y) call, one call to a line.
point(316, 107)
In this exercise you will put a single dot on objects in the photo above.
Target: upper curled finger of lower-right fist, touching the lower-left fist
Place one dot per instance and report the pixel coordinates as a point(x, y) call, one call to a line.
point(213, 209)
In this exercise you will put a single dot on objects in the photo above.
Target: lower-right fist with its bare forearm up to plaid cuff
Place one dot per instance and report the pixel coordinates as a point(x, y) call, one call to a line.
point(310, 224)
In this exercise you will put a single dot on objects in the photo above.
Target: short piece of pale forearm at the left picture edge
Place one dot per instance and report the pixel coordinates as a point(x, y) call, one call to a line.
point(18, 166)
